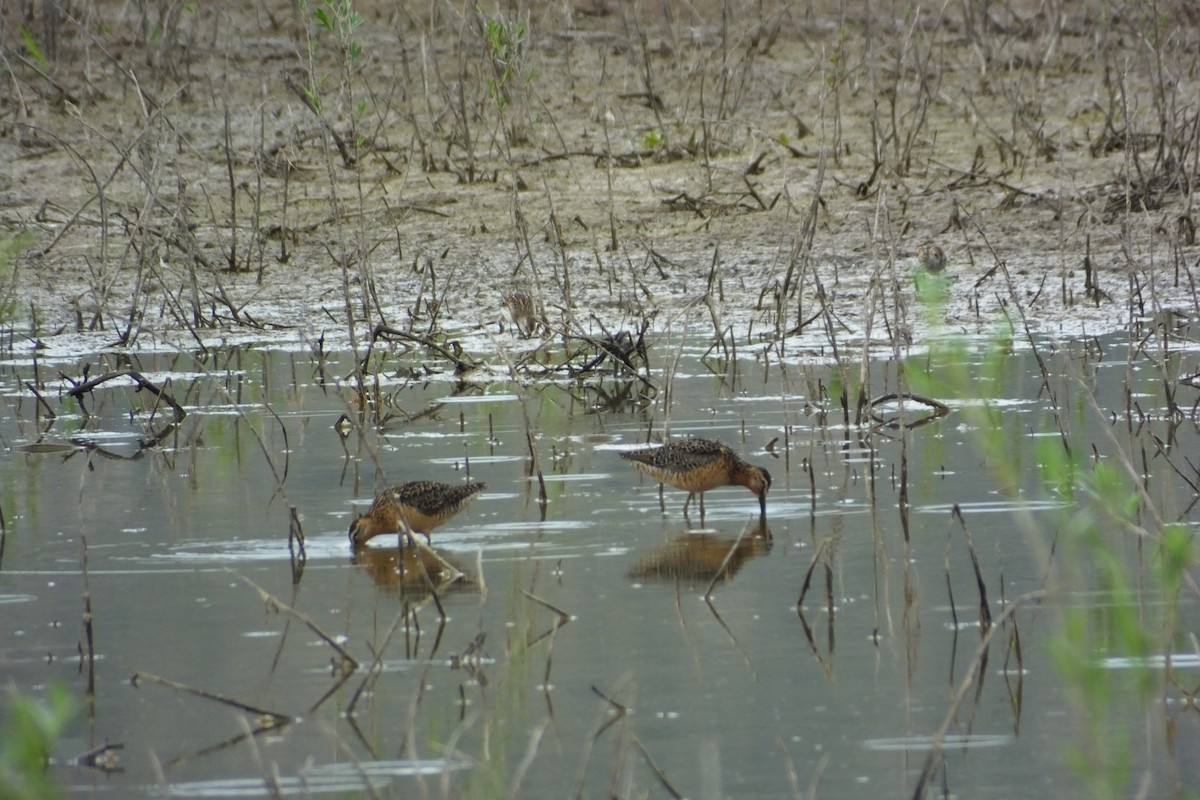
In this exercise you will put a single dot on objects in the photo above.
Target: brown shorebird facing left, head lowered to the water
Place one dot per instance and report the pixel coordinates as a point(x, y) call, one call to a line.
point(421, 506)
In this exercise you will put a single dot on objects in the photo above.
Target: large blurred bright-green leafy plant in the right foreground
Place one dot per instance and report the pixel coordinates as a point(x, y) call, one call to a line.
point(1117, 618)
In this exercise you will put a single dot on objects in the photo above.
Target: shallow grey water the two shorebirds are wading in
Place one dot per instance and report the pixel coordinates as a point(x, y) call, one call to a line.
point(741, 696)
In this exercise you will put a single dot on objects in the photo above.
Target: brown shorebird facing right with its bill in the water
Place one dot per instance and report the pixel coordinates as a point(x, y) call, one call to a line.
point(698, 466)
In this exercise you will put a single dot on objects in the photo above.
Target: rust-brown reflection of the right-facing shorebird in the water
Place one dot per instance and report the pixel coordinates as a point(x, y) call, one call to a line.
point(704, 557)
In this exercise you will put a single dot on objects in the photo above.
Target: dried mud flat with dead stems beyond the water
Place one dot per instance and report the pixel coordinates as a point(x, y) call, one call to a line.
point(506, 176)
